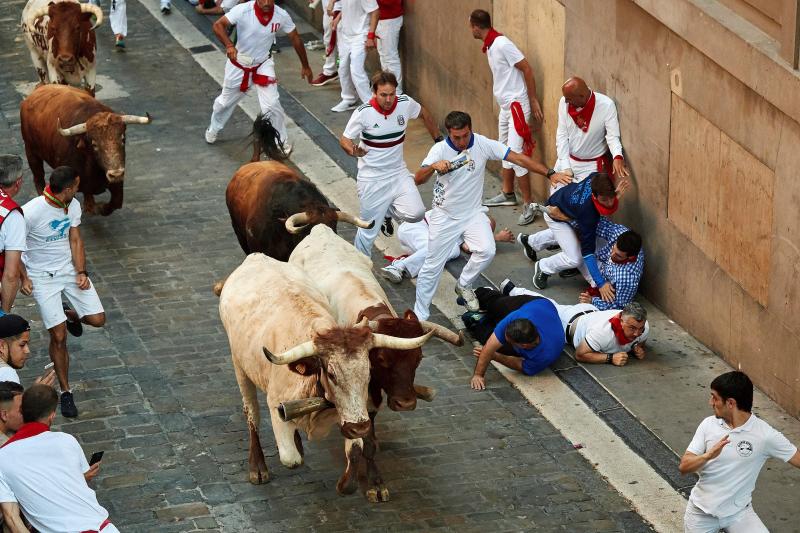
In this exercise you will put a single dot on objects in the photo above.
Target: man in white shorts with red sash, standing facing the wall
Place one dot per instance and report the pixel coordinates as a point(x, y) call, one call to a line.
point(514, 89)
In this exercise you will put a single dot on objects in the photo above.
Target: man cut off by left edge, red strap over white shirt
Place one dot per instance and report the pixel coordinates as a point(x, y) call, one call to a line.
point(12, 230)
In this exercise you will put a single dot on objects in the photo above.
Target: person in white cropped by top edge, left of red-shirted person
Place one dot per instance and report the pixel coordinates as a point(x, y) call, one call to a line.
point(355, 35)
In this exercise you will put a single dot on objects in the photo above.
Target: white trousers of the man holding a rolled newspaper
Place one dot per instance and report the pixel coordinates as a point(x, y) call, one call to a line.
point(443, 233)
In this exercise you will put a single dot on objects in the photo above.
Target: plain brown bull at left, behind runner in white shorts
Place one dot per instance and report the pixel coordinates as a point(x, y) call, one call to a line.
point(66, 126)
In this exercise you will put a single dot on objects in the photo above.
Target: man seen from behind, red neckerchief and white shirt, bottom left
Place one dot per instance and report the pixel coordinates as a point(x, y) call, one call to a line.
point(46, 473)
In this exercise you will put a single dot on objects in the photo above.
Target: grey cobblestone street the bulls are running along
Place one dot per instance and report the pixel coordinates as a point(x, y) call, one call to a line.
point(156, 390)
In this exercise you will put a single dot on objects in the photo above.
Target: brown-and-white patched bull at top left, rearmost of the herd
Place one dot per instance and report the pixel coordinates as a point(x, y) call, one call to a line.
point(61, 40)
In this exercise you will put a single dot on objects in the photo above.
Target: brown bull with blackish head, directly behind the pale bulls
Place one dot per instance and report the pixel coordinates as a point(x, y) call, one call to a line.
point(265, 199)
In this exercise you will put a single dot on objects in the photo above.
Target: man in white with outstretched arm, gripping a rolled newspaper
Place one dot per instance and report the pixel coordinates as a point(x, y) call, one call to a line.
point(459, 163)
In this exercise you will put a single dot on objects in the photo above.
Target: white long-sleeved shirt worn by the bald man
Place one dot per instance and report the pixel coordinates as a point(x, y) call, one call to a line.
point(601, 137)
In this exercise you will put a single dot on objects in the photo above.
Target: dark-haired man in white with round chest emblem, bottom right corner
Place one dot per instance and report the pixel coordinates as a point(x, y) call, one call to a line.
point(728, 451)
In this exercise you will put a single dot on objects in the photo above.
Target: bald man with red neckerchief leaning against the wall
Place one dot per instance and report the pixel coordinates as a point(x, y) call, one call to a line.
point(587, 138)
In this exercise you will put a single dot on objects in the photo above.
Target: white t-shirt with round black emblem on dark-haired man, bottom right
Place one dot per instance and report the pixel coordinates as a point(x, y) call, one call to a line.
point(726, 483)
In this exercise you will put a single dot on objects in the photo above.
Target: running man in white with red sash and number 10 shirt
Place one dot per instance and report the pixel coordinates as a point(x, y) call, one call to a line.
point(250, 63)
